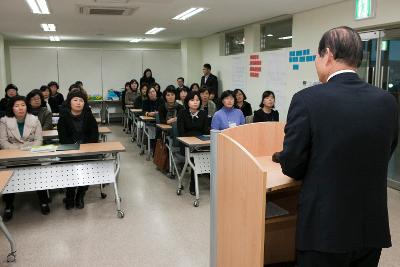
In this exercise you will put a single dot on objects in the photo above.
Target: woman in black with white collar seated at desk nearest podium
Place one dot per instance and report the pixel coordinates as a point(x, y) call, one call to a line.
point(192, 122)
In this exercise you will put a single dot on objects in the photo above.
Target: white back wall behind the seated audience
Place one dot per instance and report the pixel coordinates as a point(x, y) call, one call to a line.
point(100, 69)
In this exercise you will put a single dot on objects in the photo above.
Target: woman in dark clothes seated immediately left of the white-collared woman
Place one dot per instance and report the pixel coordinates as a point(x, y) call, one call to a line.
point(168, 112)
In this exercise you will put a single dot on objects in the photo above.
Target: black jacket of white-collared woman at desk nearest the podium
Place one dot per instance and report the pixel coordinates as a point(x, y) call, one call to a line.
point(188, 126)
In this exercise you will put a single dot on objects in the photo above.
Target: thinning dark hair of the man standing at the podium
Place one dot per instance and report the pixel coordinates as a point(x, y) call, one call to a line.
point(345, 45)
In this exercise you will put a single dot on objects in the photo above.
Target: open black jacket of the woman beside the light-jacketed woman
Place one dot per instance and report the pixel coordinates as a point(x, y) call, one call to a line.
point(66, 130)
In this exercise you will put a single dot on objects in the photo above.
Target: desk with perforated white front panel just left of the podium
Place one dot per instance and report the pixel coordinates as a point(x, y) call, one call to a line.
point(199, 165)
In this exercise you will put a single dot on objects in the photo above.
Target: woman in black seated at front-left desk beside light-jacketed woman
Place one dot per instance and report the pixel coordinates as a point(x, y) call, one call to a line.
point(77, 125)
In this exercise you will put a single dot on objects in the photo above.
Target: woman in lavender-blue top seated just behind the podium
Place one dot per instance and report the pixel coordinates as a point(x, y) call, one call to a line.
point(228, 116)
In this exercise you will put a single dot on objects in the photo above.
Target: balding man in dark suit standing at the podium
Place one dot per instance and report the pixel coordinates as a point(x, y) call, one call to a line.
point(339, 138)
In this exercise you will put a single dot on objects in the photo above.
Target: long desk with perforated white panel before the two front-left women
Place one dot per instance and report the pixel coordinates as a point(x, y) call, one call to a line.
point(60, 169)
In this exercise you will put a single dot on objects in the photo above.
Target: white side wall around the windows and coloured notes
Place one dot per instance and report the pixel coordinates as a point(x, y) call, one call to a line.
point(308, 28)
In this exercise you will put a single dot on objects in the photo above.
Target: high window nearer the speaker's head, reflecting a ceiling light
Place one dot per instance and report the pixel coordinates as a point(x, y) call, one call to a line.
point(277, 34)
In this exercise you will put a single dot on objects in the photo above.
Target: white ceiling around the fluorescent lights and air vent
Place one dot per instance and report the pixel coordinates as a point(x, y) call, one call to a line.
point(17, 21)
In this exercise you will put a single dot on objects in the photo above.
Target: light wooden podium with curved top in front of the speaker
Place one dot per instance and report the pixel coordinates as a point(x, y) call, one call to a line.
point(243, 180)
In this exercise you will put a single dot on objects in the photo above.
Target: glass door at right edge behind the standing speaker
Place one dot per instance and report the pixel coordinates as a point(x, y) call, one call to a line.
point(381, 67)
